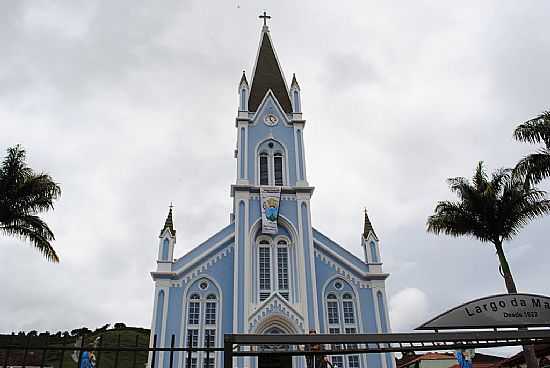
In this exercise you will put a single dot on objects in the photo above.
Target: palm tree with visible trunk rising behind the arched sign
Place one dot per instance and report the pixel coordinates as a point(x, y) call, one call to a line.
point(491, 210)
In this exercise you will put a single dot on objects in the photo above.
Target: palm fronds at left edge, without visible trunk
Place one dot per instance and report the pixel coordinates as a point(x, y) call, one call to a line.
point(24, 194)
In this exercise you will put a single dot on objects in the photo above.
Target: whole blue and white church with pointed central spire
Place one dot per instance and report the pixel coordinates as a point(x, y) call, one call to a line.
point(241, 280)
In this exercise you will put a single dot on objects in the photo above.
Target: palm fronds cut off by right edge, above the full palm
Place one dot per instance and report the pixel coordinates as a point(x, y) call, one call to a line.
point(535, 166)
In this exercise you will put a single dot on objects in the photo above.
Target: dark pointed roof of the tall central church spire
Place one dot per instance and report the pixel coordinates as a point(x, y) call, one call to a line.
point(268, 75)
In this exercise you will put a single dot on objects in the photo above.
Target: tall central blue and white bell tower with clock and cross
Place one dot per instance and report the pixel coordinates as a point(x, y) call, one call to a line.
point(270, 153)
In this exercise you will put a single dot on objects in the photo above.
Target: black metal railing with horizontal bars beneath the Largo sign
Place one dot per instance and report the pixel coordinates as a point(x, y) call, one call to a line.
point(355, 344)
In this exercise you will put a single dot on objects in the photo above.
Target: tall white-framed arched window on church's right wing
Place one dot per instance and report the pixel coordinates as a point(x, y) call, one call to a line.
point(341, 318)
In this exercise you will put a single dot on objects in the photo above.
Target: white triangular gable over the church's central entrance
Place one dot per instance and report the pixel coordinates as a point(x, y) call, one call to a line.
point(276, 308)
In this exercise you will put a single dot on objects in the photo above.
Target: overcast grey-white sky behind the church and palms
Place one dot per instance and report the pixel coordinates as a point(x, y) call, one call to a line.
point(131, 104)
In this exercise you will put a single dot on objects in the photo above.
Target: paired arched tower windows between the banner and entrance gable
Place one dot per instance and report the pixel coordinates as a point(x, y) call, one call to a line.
point(273, 265)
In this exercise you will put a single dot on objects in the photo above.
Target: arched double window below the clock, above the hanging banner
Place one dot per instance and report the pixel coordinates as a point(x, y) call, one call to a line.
point(271, 164)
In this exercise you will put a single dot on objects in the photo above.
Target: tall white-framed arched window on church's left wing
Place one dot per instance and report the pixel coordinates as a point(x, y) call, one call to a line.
point(202, 321)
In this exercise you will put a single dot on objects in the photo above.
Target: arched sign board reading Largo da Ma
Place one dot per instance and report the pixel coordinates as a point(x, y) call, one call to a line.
point(496, 311)
